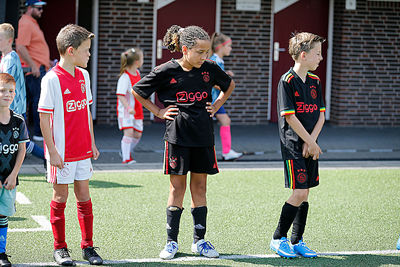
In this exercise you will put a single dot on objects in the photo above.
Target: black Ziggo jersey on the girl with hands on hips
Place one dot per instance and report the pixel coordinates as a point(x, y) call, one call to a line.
point(189, 90)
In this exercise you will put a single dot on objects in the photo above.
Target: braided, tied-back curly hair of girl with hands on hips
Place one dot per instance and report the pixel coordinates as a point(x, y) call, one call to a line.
point(176, 37)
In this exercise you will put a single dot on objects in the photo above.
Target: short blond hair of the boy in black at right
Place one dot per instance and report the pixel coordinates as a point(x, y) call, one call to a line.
point(303, 42)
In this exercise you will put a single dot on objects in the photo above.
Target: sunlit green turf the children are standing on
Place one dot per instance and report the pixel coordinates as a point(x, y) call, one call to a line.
point(351, 210)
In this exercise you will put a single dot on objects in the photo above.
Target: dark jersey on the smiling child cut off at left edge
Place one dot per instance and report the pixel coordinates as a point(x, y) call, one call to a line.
point(11, 135)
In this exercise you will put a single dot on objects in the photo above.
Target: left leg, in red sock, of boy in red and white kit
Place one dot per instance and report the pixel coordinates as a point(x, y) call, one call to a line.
point(57, 217)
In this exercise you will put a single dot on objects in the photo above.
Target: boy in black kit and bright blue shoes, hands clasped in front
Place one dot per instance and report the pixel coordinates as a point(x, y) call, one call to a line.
point(302, 115)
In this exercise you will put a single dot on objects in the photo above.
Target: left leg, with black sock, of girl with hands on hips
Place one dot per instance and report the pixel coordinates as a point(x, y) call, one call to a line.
point(175, 205)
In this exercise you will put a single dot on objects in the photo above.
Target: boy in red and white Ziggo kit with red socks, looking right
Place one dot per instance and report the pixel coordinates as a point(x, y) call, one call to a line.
point(67, 128)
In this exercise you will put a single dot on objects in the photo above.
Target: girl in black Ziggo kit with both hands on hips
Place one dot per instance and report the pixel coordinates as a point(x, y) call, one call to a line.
point(184, 87)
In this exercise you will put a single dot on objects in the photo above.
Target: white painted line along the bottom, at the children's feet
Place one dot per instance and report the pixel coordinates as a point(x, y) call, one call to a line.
point(227, 257)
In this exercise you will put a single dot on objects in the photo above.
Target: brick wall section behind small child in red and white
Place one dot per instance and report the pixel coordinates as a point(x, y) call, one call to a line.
point(122, 24)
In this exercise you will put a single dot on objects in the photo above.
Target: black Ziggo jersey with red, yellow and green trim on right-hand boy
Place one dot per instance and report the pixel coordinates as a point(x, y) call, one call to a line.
point(304, 99)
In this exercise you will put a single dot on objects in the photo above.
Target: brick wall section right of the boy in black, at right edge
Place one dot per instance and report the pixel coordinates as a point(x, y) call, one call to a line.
point(366, 64)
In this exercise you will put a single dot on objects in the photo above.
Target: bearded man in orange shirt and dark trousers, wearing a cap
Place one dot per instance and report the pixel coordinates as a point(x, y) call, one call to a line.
point(35, 54)
